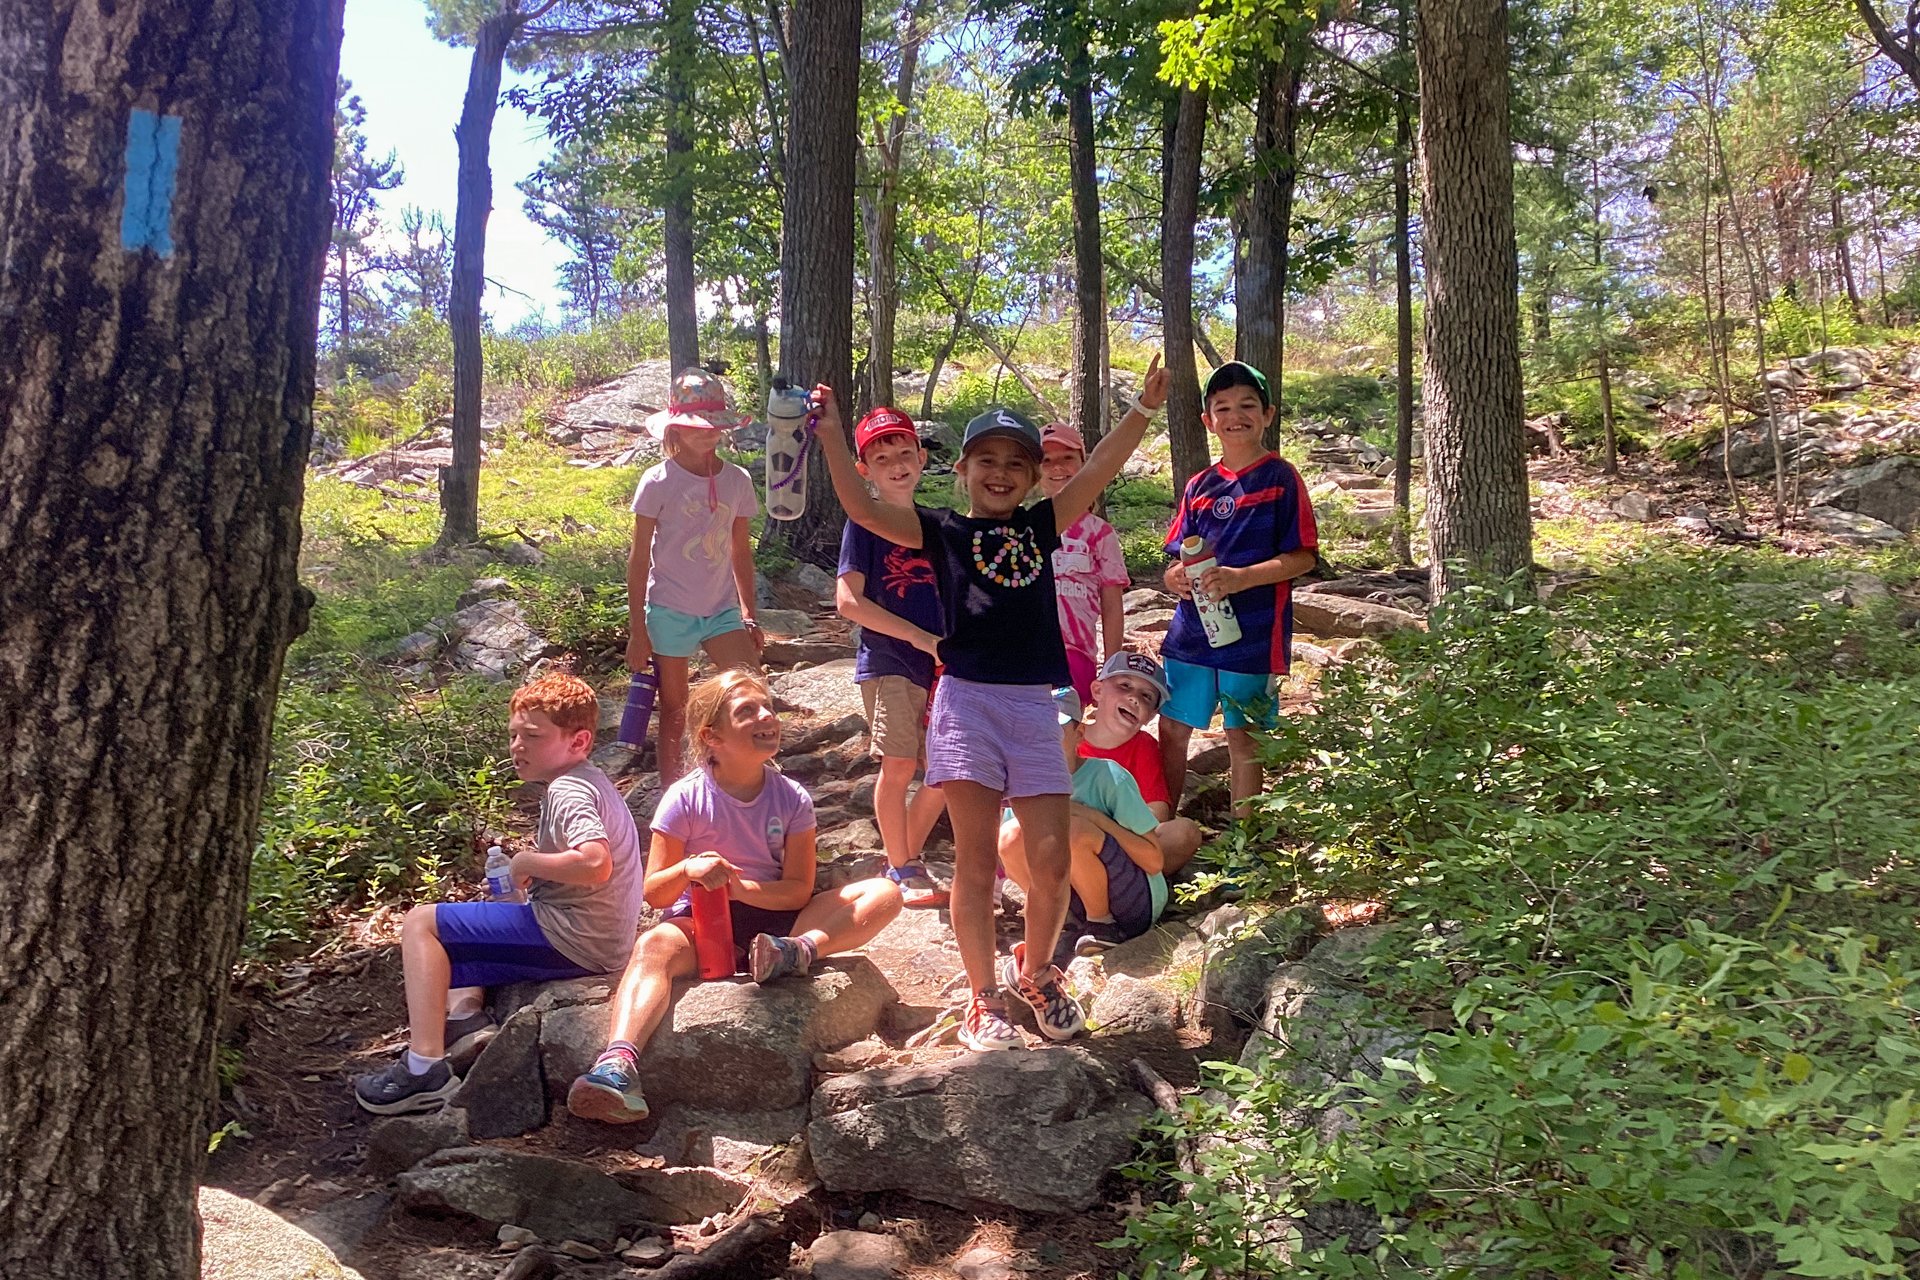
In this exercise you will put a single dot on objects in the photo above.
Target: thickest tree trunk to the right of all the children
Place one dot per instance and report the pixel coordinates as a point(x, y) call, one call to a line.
point(1477, 508)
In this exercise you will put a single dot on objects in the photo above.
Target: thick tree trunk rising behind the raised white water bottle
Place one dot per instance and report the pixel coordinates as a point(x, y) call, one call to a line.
point(817, 237)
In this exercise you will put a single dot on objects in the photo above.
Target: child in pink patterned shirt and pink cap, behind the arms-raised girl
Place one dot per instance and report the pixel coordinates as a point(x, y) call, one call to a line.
point(1090, 571)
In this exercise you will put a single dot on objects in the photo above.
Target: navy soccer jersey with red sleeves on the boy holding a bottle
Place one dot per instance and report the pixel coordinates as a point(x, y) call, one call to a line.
point(1245, 517)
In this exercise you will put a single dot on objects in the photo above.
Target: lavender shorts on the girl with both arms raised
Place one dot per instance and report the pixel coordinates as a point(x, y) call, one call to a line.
point(1005, 738)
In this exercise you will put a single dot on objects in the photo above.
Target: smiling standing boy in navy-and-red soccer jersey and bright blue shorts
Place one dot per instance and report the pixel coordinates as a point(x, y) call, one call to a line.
point(1255, 515)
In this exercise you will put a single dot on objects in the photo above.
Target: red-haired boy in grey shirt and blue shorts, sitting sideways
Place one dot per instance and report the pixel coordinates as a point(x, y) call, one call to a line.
point(585, 886)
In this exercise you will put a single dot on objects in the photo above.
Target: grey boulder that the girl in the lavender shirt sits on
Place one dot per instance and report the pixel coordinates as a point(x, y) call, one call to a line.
point(732, 1047)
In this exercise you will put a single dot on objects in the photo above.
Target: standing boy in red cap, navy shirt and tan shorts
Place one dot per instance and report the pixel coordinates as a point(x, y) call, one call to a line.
point(890, 592)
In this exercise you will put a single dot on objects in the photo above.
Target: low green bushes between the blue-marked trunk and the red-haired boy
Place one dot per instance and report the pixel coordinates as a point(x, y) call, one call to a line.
point(375, 790)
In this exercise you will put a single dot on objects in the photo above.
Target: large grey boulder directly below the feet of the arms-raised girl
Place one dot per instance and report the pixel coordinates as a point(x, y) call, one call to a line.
point(1026, 1131)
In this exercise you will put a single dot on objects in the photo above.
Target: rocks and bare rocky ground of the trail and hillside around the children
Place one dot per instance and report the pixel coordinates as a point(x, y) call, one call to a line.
point(830, 1127)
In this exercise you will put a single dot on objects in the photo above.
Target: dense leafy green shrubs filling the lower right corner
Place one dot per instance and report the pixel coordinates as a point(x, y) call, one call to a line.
point(1654, 861)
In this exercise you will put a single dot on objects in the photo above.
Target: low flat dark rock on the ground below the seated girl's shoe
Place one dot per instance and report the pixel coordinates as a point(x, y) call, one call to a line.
point(552, 1198)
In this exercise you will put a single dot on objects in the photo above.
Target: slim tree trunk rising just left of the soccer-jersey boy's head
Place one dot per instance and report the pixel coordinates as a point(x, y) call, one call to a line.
point(1180, 181)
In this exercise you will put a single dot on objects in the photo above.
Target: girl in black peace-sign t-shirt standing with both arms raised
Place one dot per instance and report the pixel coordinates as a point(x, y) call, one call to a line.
point(994, 734)
